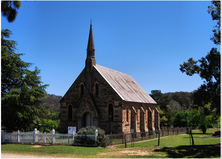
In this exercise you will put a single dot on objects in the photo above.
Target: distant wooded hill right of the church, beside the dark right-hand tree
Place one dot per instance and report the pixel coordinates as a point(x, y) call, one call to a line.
point(183, 98)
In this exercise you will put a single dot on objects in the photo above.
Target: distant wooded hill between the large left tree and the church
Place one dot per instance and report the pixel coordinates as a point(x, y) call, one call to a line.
point(52, 99)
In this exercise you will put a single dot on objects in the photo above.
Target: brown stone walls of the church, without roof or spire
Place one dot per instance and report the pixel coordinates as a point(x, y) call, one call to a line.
point(125, 116)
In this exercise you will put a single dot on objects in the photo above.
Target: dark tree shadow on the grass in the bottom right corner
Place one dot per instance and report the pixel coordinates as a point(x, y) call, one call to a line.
point(197, 151)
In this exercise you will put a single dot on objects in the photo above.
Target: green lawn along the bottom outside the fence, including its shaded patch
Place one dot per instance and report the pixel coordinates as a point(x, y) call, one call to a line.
point(170, 147)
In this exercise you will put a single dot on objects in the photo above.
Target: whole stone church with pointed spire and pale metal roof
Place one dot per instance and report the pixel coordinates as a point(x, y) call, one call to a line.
point(108, 99)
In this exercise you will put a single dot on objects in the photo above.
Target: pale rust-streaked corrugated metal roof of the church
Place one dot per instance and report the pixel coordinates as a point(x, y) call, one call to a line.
point(124, 85)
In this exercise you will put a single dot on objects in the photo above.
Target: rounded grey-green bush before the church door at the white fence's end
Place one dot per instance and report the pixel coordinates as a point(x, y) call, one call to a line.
point(90, 130)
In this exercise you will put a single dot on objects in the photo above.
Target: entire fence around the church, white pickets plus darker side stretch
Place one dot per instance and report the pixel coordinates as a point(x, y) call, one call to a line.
point(36, 137)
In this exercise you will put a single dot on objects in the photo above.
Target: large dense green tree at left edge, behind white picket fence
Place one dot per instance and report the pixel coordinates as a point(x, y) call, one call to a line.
point(22, 89)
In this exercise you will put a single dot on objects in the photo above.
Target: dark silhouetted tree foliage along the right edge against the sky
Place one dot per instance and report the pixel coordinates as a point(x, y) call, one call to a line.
point(208, 68)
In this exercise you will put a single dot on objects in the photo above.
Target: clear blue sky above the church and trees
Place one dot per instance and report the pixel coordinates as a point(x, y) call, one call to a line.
point(147, 40)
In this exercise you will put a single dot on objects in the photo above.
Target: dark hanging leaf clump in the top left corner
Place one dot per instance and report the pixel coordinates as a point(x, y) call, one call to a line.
point(9, 9)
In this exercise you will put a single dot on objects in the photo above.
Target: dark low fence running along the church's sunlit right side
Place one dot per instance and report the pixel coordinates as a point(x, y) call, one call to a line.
point(139, 136)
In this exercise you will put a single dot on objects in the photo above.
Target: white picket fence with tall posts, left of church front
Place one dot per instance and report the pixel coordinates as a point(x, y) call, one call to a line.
point(36, 137)
